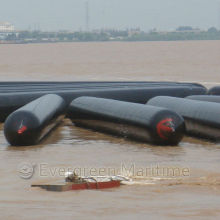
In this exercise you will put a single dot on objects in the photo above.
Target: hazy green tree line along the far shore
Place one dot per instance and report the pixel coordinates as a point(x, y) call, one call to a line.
point(181, 33)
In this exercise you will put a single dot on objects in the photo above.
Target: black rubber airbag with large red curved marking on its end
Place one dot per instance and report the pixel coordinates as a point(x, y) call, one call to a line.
point(137, 121)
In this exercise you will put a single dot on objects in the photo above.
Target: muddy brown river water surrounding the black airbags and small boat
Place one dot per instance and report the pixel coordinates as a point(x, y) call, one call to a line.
point(193, 192)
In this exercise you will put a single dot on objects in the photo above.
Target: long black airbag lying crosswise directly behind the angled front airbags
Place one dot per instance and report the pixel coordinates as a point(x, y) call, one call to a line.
point(9, 102)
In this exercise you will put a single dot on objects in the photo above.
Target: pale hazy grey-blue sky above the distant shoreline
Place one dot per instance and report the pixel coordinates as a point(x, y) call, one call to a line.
point(146, 14)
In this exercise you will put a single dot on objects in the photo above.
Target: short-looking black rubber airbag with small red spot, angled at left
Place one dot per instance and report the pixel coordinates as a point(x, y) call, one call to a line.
point(29, 124)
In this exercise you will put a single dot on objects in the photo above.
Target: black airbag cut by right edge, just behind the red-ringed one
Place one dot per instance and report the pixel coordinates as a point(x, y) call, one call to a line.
point(201, 118)
